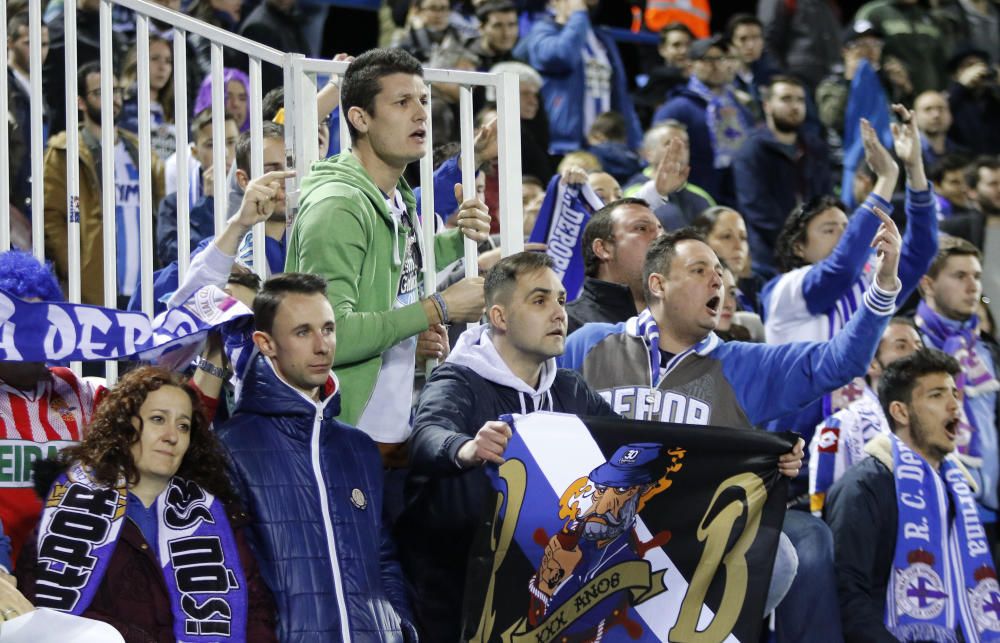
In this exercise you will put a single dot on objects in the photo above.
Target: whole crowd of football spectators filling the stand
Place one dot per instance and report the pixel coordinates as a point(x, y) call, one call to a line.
point(800, 232)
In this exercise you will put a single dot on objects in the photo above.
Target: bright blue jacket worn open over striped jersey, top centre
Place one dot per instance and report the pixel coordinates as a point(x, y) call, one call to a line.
point(554, 50)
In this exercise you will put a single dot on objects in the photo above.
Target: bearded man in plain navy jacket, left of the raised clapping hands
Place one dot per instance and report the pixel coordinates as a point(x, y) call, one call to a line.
point(780, 166)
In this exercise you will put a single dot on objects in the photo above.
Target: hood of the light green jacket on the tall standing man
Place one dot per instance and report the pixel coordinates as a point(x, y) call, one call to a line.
point(345, 169)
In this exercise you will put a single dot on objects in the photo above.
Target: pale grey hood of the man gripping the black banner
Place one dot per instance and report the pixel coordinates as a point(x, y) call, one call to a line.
point(475, 350)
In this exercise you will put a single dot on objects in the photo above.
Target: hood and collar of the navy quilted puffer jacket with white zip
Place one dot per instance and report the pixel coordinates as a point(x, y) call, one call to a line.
point(264, 392)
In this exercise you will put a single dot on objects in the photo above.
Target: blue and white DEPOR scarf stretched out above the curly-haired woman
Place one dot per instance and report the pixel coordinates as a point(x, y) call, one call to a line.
point(61, 332)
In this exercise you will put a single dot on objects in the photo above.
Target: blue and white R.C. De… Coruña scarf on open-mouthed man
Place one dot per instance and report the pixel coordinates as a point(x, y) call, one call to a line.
point(942, 574)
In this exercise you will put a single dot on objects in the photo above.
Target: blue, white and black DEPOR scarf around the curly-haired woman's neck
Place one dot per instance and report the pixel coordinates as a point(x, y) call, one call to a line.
point(78, 533)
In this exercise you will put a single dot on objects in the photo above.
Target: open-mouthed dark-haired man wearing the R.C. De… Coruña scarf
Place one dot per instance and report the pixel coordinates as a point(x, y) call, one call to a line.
point(913, 561)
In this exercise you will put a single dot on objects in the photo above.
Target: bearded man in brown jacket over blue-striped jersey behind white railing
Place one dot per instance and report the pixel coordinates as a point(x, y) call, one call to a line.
point(126, 173)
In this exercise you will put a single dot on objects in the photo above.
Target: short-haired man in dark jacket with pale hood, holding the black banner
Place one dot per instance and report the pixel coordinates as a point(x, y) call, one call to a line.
point(507, 366)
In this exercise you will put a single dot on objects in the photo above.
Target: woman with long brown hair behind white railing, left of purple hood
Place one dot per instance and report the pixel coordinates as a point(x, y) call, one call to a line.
point(161, 95)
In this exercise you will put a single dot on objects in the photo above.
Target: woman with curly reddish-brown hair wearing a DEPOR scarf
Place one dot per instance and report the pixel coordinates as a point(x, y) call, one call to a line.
point(140, 531)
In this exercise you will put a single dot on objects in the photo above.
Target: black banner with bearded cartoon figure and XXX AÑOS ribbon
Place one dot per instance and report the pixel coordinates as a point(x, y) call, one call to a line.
point(615, 530)
